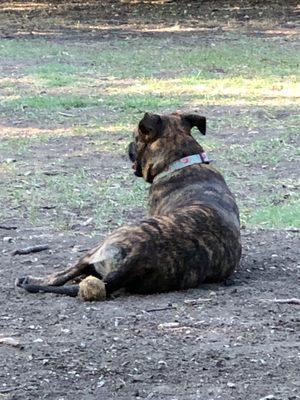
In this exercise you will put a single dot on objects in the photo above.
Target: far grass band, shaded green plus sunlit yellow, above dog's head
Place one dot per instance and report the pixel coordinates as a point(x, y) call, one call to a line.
point(238, 72)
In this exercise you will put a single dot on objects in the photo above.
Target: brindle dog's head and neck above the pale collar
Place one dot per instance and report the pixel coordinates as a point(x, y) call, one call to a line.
point(161, 139)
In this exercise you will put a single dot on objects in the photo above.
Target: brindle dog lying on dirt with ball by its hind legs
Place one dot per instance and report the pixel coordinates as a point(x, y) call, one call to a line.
point(191, 236)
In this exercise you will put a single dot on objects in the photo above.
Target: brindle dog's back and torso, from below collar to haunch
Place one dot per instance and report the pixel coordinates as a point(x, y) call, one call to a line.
point(201, 224)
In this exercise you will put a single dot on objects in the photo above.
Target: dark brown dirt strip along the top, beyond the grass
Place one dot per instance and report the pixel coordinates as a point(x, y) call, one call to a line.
point(110, 19)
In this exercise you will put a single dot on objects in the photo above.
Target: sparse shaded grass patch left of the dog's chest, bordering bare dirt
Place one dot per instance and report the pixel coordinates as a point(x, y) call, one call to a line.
point(106, 200)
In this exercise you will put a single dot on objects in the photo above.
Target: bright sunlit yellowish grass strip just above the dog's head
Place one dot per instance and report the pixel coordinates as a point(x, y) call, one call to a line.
point(221, 90)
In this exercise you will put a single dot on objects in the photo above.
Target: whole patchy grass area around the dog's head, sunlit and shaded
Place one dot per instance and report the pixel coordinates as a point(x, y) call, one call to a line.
point(249, 87)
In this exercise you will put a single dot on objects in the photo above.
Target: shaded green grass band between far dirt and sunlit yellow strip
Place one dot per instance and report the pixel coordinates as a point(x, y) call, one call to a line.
point(242, 57)
